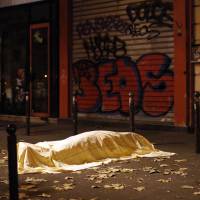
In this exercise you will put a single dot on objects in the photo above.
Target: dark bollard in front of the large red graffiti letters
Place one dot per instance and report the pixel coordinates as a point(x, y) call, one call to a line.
point(131, 111)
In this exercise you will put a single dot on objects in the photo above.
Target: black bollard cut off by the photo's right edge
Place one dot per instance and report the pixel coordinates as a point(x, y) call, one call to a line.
point(197, 120)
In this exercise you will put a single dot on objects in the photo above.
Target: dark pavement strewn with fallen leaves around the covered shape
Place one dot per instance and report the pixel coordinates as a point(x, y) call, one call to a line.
point(177, 177)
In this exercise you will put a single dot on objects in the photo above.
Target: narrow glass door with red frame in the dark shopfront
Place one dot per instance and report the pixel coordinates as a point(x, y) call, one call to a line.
point(39, 69)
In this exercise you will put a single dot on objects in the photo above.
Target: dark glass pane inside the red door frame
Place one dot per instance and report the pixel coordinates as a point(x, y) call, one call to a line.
point(39, 53)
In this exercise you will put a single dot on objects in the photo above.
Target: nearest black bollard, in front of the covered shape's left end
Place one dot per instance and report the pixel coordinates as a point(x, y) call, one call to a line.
point(12, 162)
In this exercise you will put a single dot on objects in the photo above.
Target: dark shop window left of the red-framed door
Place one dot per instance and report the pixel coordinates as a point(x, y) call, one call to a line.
point(12, 70)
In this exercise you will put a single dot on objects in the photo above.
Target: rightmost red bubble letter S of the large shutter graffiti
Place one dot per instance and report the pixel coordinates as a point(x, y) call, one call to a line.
point(157, 82)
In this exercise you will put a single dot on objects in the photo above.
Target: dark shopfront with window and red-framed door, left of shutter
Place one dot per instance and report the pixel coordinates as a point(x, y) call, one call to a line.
point(29, 59)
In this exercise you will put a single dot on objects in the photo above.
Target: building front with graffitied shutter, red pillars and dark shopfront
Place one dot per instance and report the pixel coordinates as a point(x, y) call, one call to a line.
point(101, 51)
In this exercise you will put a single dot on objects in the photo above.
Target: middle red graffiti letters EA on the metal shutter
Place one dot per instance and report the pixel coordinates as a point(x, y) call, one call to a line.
point(116, 81)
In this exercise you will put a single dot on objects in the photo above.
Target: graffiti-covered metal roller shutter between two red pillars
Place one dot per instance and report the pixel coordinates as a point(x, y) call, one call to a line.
point(121, 46)
